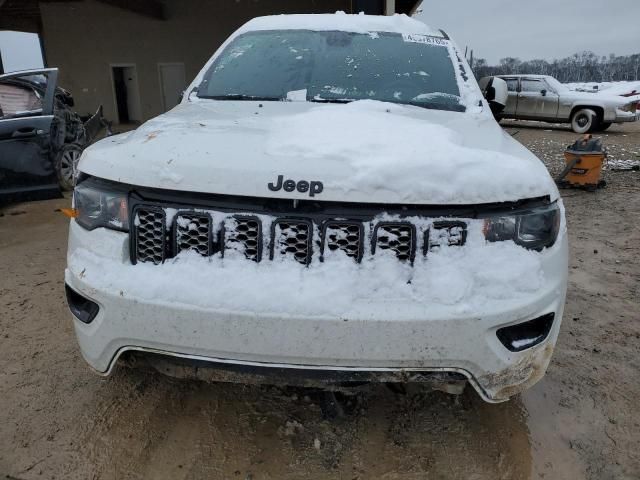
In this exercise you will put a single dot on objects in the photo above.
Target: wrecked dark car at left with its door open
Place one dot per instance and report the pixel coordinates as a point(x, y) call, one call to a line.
point(41, 136)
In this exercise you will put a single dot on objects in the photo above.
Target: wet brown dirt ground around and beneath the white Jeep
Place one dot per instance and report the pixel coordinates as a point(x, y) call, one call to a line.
point(58, 420)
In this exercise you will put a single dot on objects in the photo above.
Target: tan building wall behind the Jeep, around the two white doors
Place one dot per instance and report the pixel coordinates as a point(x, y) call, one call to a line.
point(84, 39)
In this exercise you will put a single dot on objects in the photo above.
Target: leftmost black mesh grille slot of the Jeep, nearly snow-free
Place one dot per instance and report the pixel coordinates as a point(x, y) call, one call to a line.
point(150, 235)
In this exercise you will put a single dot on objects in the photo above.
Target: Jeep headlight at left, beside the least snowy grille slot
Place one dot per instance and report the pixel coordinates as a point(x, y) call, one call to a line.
point(100, 204)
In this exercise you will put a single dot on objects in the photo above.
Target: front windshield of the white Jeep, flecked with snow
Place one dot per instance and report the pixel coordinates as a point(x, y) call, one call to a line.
point(335, 66)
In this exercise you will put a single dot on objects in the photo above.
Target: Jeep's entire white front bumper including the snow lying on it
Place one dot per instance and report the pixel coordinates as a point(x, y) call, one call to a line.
point(444, 317)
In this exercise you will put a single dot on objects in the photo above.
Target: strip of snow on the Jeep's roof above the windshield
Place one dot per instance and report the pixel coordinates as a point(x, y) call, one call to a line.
point(341, 21)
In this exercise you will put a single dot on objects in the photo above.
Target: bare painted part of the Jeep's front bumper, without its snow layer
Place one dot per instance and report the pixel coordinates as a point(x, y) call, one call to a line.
point(380, 337)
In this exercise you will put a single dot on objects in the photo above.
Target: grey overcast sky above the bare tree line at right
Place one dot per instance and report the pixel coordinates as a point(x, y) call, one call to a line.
point(530, 29)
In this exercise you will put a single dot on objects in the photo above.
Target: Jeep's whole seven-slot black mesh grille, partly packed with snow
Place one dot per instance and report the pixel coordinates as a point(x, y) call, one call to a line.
point(210, 232)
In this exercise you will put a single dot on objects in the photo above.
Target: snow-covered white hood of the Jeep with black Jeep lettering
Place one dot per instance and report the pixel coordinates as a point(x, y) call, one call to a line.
point(365, 151)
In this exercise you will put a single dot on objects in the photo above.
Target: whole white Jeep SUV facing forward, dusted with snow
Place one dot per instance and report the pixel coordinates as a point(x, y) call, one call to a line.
point(332, 202)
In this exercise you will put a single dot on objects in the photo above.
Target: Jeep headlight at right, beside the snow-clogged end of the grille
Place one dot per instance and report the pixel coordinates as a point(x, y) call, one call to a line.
point(533, 229)
